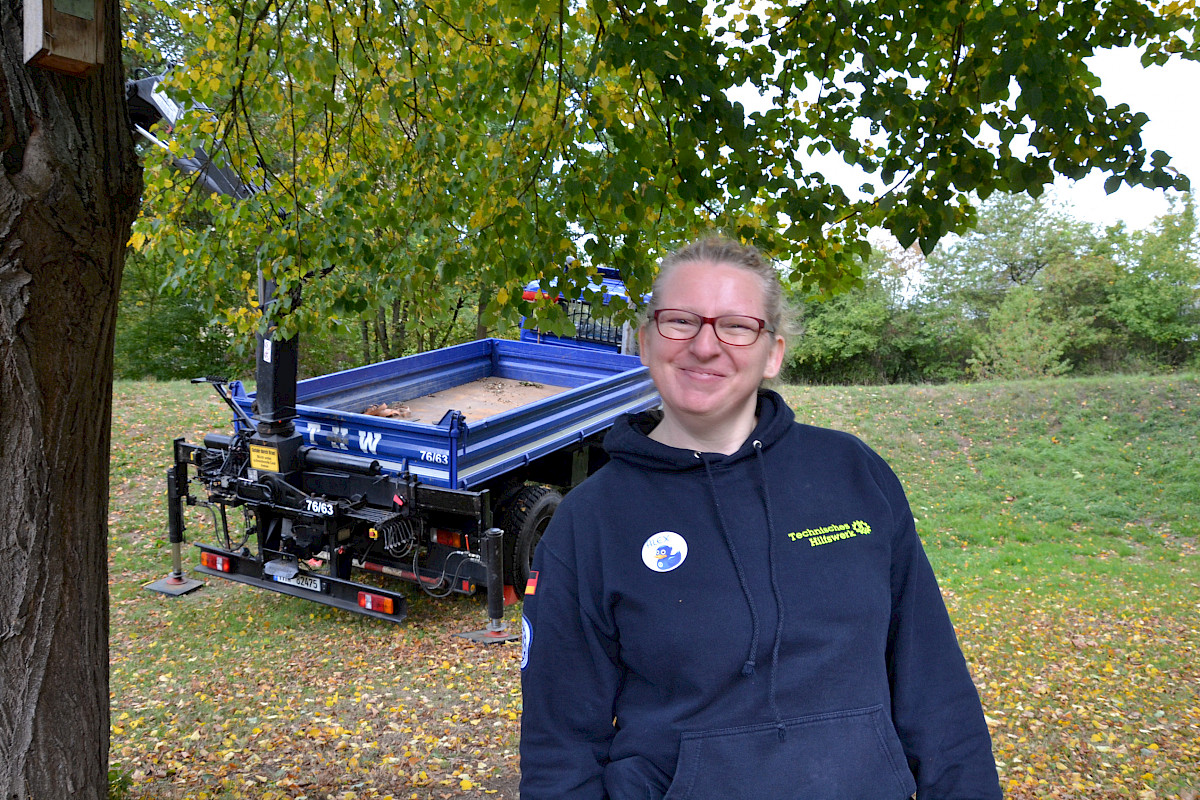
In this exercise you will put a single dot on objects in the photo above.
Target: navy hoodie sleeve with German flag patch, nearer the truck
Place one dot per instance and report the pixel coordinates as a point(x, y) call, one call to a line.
point(569, 679)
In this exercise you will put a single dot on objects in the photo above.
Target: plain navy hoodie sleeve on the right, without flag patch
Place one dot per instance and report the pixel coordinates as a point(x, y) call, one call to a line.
point(935, 706)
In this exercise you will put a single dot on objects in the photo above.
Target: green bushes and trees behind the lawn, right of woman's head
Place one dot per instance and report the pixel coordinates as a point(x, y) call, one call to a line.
point(1029, 293)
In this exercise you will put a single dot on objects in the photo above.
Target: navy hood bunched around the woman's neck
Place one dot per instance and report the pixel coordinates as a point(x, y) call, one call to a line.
point(629, 440)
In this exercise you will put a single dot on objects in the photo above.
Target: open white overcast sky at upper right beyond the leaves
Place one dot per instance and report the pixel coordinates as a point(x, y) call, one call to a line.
point(1171, 97)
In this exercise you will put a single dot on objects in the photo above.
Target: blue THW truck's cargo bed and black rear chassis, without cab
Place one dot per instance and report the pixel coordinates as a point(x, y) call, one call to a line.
point(475, 440)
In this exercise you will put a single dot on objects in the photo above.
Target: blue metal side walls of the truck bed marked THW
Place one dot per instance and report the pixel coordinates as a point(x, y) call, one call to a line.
point(453, 454)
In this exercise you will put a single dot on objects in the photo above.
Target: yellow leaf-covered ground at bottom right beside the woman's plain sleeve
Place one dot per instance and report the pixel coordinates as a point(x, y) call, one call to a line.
point(1085, 703)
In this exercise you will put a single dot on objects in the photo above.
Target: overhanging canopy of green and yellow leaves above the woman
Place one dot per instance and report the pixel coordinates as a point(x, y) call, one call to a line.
point(404, 148)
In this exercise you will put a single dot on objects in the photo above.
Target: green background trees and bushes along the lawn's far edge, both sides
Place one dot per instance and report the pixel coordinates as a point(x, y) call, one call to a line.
point(1030, 292)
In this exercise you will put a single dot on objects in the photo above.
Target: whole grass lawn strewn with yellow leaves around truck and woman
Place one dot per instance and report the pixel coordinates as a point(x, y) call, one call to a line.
point(1063, 519)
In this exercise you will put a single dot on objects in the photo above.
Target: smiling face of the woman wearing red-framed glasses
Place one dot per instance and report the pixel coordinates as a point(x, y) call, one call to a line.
point(704, 381)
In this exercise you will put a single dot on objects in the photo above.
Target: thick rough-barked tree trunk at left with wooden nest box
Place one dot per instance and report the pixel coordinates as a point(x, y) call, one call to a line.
point(69, 191)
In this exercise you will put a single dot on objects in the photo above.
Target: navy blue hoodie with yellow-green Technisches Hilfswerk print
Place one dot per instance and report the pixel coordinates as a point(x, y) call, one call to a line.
point(759, 625)
